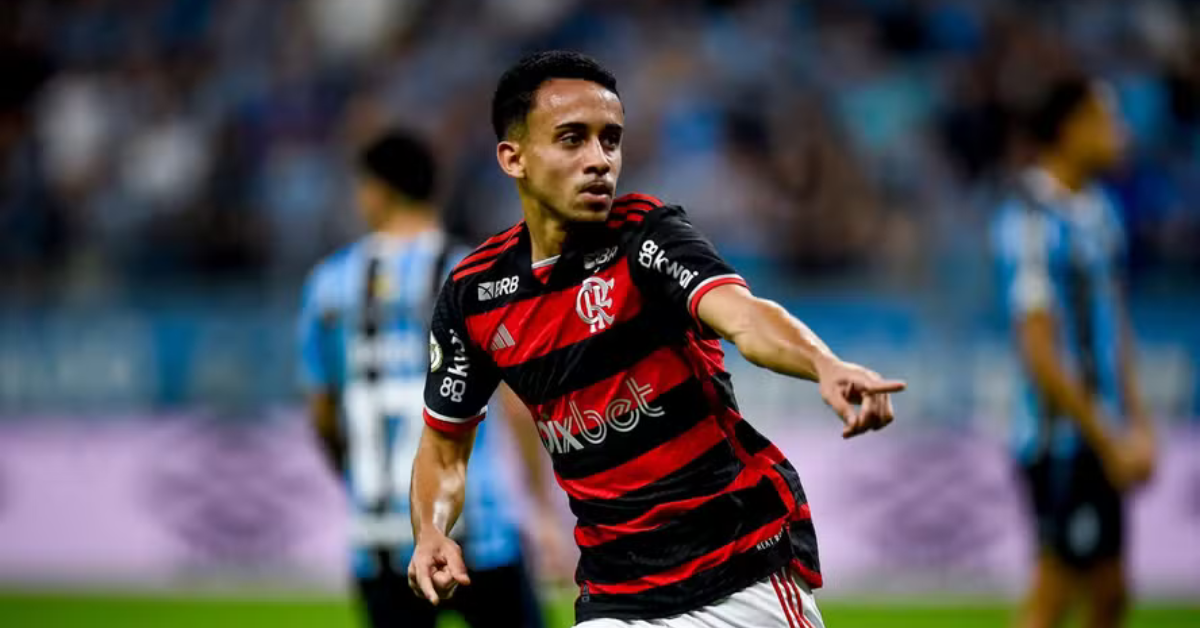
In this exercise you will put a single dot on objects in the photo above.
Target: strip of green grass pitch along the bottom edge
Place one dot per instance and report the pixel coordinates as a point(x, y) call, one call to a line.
point(71, 611)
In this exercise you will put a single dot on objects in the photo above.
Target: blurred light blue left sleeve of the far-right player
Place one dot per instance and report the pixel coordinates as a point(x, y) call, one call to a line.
point(1023, 242)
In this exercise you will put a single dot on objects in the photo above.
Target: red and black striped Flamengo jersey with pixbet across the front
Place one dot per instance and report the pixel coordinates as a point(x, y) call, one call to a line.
point(680, 501)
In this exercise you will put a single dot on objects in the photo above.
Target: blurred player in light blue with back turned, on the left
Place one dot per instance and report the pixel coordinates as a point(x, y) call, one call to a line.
point(364, 338)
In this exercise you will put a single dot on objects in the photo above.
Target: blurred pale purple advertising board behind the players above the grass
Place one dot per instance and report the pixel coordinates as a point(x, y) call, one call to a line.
point(171, 501)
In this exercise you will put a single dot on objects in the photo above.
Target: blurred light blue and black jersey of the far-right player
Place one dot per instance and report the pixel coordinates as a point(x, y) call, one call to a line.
point(1064, 253)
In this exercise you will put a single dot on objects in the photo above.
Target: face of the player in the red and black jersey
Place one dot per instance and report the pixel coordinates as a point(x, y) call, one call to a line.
point(571, 152)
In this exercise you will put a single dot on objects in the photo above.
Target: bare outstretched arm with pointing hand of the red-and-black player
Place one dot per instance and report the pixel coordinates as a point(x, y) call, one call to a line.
point(771, 338)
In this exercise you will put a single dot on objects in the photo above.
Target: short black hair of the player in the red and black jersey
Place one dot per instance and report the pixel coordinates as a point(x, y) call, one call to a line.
point(519, 86)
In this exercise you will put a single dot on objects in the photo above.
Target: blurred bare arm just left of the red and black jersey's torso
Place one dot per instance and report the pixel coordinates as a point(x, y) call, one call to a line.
point(550, 545)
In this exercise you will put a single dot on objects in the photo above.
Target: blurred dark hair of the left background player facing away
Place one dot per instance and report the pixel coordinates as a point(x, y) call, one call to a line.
point(403, 163)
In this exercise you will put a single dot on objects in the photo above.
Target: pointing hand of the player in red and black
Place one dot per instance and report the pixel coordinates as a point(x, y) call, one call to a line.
point(860, 397)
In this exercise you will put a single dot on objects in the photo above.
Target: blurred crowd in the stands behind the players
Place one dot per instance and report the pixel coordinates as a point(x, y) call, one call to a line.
point(209, 140)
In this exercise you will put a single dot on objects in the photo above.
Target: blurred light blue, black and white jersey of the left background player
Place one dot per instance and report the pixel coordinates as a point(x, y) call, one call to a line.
point(364, 336)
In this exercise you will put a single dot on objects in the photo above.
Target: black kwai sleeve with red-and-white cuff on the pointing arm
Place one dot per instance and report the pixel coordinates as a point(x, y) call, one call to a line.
point(674, 260)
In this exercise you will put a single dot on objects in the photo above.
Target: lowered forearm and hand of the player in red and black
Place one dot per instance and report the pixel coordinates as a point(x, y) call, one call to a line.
point(440, 487)
